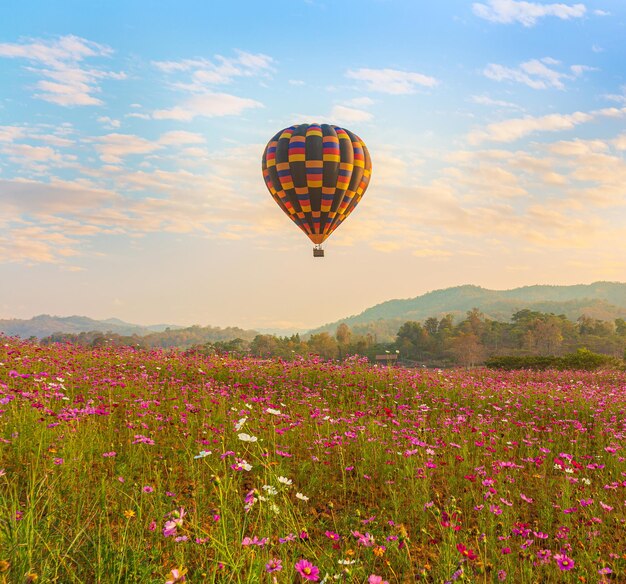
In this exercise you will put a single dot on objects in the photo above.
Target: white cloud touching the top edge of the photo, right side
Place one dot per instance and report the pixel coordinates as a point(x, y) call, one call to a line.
point(526, 13)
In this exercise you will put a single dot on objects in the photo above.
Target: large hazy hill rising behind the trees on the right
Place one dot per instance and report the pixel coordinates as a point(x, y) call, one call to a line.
point(601, 300)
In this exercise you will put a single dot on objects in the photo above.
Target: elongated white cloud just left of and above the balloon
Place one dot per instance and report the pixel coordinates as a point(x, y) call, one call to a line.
point(207, 105)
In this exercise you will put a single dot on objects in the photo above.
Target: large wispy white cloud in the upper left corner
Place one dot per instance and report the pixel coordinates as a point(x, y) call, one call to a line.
point(59, 62)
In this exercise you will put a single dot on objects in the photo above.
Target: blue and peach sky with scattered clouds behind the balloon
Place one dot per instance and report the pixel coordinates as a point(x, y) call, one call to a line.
point(131, 136)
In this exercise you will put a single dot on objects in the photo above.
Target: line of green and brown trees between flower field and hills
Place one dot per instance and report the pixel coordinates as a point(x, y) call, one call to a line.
point(436, 341)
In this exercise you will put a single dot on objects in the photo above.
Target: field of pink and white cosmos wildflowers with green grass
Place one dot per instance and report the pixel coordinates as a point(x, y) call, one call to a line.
point(120, 465)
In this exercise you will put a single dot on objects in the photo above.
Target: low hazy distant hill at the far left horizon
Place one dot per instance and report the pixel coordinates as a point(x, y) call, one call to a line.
point(45, 325)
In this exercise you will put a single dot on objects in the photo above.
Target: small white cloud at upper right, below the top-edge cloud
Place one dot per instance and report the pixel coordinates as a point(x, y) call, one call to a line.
point(535, 73)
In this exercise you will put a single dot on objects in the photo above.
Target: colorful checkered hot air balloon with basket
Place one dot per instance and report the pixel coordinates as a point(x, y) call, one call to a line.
point(317, 174)
